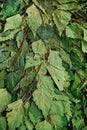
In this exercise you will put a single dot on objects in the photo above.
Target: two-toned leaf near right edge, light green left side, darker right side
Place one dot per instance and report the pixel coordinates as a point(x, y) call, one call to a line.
point(74, 31)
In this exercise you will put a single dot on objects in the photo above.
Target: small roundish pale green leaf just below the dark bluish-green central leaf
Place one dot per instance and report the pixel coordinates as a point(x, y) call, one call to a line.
point(39, 48)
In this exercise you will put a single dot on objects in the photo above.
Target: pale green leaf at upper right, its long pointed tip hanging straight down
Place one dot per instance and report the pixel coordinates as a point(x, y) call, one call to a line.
point(61, 19)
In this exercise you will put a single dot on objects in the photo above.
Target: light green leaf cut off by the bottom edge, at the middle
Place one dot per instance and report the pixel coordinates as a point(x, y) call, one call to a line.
point(44, 126)
